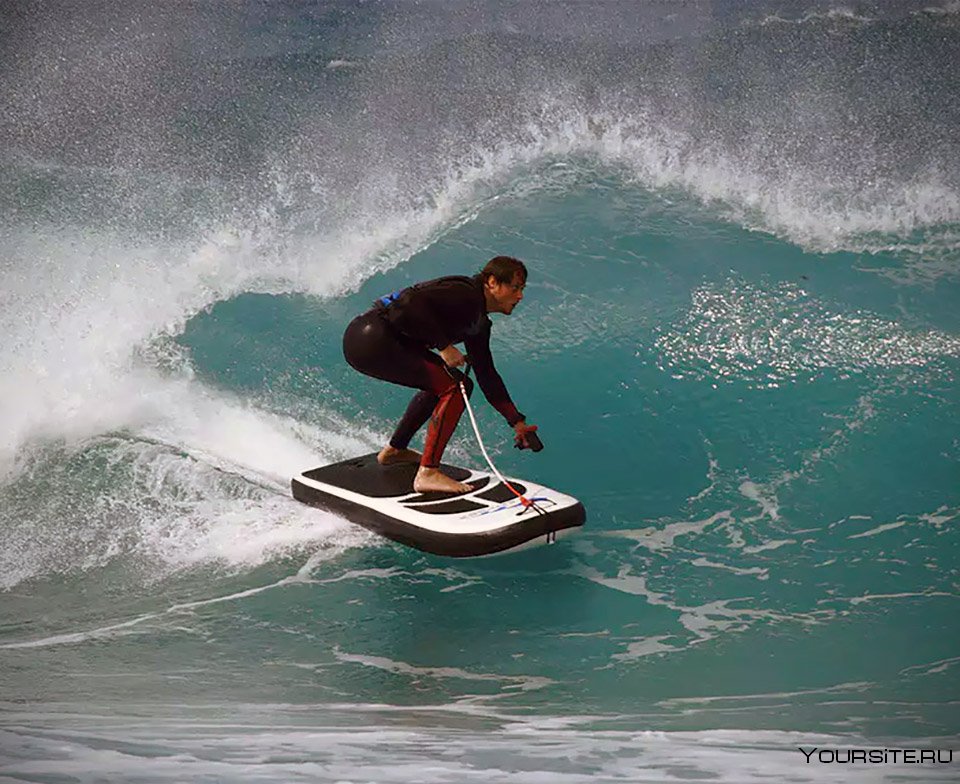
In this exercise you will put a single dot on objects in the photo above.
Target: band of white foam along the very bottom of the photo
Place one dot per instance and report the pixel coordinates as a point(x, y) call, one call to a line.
point(396, 745)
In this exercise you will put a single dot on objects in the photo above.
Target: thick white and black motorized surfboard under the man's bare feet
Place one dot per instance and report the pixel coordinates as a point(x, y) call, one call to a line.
point(489, 519)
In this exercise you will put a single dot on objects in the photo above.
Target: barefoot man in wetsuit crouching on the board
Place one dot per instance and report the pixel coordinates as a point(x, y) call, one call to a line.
point(395, 341)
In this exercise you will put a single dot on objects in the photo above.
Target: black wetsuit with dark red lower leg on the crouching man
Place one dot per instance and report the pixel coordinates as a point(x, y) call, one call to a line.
point(392, 342)
